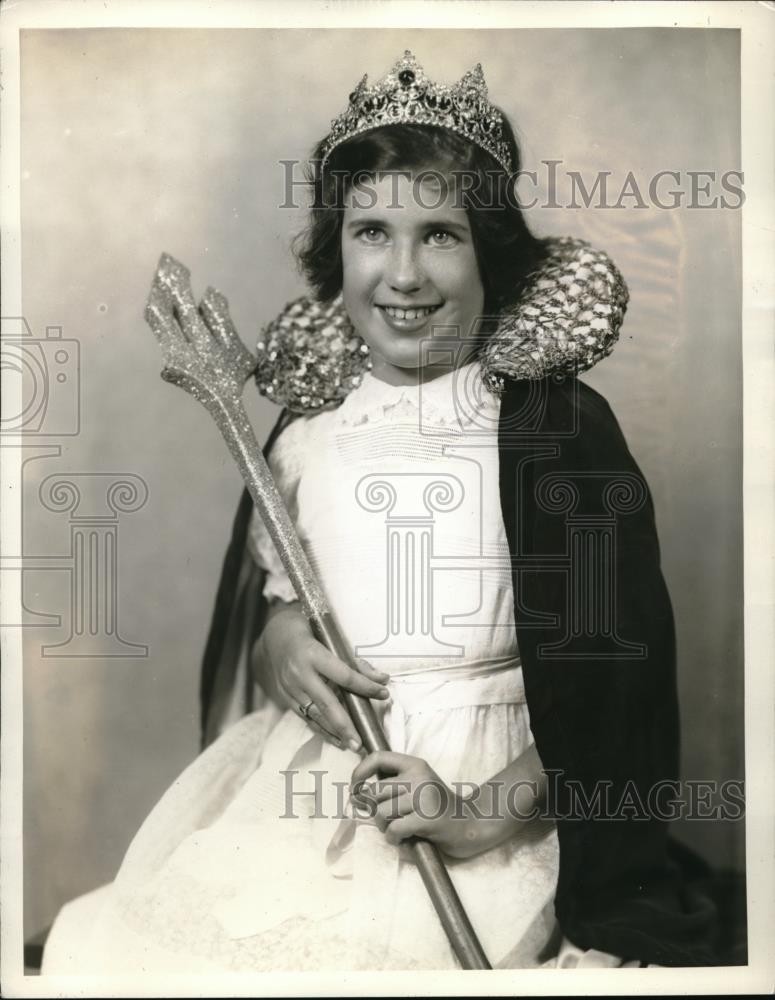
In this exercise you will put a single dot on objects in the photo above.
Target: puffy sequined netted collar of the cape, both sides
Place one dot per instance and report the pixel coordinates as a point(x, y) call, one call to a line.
point(567, 319)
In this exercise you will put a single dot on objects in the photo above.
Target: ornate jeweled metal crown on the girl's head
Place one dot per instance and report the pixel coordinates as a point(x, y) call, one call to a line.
point(406, 96)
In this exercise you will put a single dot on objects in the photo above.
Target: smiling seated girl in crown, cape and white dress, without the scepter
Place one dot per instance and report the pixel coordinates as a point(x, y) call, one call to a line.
point(440, 460)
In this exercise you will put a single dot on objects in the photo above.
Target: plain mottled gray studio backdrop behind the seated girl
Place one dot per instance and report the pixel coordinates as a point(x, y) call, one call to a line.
point(139, 141)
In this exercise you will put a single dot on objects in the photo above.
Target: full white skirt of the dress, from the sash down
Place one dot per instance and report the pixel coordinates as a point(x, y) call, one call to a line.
point(254, 861)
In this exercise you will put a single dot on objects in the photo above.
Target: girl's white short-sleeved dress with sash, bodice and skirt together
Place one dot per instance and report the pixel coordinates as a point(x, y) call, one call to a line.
point(253, 860)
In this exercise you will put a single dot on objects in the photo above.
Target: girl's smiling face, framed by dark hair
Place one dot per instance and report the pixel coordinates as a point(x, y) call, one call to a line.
point(408, 265)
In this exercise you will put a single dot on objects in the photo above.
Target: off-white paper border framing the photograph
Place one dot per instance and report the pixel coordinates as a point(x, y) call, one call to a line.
point(757, 26)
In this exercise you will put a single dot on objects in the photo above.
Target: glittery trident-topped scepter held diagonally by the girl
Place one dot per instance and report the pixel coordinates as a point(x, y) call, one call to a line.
point(204, 355)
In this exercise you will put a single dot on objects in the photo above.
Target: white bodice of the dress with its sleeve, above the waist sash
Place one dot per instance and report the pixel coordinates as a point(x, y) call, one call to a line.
point(395, 496)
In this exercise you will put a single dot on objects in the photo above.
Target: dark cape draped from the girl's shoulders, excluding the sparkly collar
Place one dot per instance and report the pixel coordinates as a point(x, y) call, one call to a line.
point(599, 671)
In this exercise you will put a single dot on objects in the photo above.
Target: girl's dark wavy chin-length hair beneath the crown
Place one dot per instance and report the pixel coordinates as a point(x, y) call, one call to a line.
point(506, 250)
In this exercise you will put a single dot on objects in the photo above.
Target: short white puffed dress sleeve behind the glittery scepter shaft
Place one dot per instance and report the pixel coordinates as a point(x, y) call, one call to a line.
point(286, 461)
